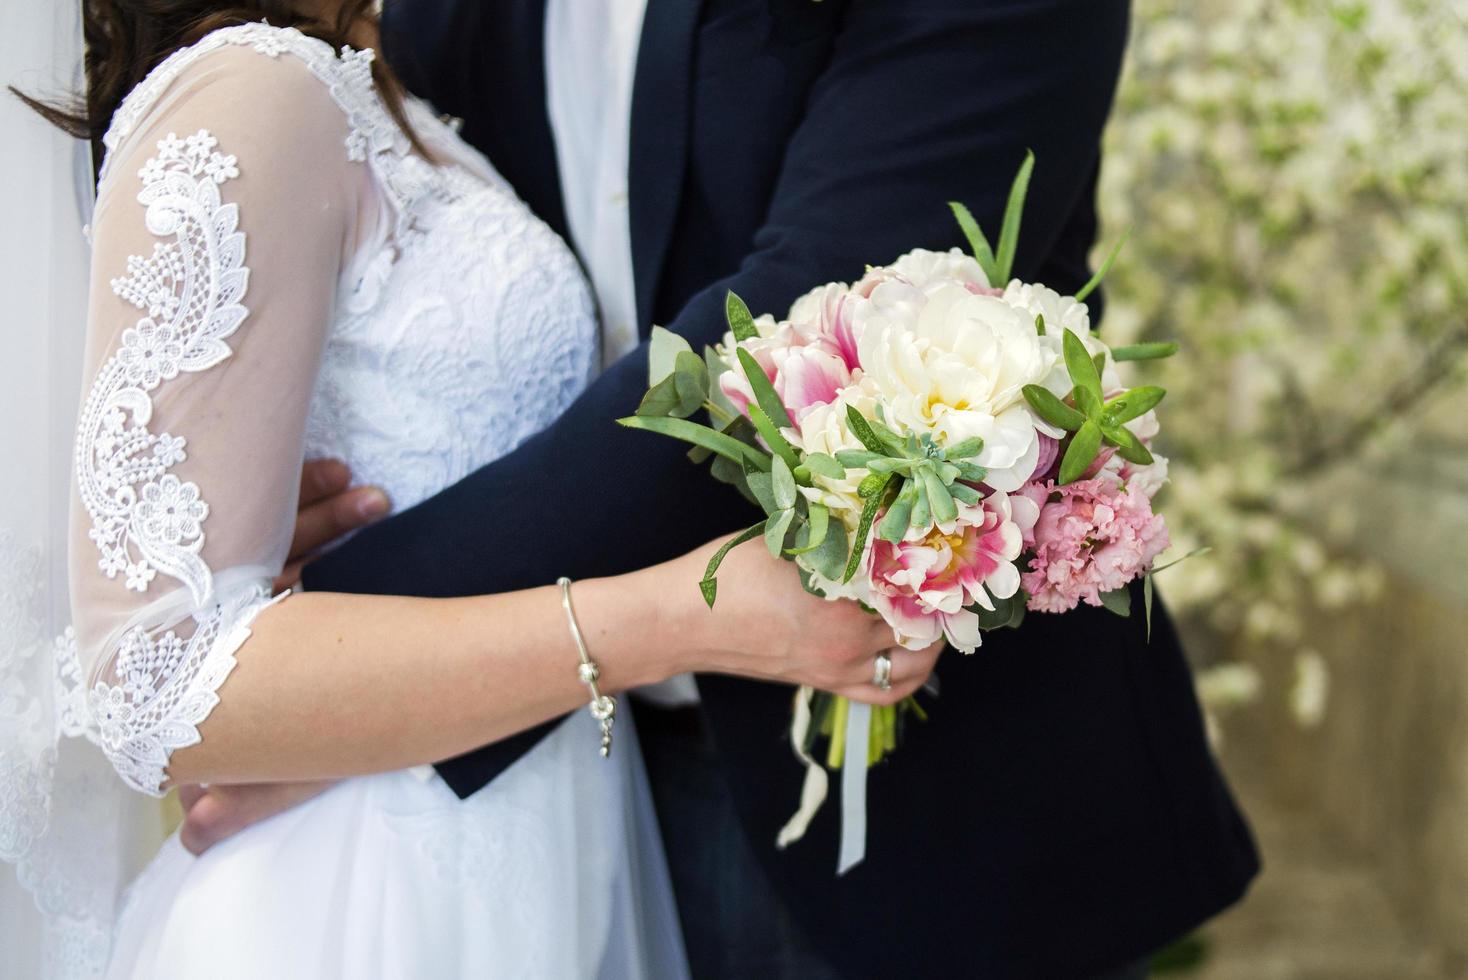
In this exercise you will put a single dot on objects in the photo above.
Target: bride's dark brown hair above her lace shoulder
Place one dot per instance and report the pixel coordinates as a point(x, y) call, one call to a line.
point(128, 39)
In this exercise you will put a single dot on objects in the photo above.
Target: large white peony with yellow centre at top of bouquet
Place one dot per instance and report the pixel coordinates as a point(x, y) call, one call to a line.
point(955, 365)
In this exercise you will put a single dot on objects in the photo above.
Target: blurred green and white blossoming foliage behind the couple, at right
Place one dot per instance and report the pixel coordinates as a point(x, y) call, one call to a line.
point(1296, 177)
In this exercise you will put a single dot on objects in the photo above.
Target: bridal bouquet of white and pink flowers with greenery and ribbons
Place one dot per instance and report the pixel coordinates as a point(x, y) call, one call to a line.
point(939, 442)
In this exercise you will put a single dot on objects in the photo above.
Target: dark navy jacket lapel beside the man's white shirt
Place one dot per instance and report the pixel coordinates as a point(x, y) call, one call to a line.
point(663, 98)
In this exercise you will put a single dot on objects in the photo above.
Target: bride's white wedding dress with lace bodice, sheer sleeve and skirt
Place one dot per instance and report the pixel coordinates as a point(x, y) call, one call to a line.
point(280, 274)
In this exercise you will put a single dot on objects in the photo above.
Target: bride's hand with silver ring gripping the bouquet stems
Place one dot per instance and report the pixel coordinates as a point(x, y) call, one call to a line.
point(766, 626)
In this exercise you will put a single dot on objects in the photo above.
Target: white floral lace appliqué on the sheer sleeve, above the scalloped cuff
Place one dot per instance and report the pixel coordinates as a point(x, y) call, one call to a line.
point(190, 290)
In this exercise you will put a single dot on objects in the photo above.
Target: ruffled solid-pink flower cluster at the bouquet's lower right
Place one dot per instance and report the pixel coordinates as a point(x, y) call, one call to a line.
point(1093, 536)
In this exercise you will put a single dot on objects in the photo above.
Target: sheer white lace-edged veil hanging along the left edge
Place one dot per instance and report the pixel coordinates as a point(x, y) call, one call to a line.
point(70, 828)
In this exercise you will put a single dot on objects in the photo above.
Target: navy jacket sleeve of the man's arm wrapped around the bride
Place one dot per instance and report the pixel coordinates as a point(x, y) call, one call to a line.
point(923, 102)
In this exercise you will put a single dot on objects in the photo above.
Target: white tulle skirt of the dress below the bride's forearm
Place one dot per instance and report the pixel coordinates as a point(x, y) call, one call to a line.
point(554, 871)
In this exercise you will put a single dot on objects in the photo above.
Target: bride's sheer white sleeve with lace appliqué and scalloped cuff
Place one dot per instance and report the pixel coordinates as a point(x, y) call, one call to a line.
point(219, 237)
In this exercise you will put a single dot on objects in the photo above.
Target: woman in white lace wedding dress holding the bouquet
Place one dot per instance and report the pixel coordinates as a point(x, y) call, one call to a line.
point(293, 259)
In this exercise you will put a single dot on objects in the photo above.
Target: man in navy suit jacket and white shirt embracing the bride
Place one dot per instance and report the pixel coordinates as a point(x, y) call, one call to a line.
point(1059, 815)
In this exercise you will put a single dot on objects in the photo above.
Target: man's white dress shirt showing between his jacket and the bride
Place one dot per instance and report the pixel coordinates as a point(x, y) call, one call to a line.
point(591, 61)
